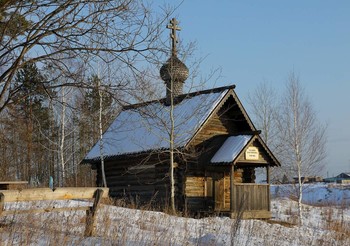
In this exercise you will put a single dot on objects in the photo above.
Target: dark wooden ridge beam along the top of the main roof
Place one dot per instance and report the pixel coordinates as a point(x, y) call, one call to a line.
point(180, 97)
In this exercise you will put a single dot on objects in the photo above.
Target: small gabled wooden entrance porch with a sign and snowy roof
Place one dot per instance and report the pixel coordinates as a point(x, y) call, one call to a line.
point(235, 191)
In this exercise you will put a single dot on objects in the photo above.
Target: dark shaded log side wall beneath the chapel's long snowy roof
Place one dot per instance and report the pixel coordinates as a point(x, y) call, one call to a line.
point(143, 180)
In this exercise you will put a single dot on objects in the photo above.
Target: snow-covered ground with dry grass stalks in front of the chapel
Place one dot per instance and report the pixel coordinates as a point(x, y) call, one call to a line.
point(328, 224)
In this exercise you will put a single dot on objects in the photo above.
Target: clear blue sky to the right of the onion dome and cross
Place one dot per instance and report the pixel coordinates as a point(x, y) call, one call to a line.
point(255, 41)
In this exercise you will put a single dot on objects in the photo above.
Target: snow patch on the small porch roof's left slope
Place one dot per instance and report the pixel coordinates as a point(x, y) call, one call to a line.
point(231, 148)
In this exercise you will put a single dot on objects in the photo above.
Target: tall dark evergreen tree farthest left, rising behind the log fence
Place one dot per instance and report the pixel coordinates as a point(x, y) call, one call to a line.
point(30, 115)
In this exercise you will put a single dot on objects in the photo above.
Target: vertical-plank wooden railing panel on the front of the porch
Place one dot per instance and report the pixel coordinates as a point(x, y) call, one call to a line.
point(251, 197)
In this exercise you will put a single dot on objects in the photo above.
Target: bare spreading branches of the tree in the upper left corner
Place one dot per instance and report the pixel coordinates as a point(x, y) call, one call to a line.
point(51, 33)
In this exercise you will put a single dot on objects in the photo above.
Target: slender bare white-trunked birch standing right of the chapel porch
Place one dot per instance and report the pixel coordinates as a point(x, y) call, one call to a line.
point(302, 136)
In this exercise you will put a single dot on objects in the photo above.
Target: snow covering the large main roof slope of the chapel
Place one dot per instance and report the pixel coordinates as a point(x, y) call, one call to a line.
point(147, 127)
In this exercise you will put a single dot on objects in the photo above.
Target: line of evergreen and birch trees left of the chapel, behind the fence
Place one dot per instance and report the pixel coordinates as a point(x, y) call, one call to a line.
point(37, 120)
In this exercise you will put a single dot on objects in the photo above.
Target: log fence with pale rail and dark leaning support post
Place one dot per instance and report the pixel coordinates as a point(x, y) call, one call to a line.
point(45, 194)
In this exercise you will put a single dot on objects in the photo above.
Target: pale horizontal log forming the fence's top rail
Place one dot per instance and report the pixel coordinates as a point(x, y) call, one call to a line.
point(41, 194)
